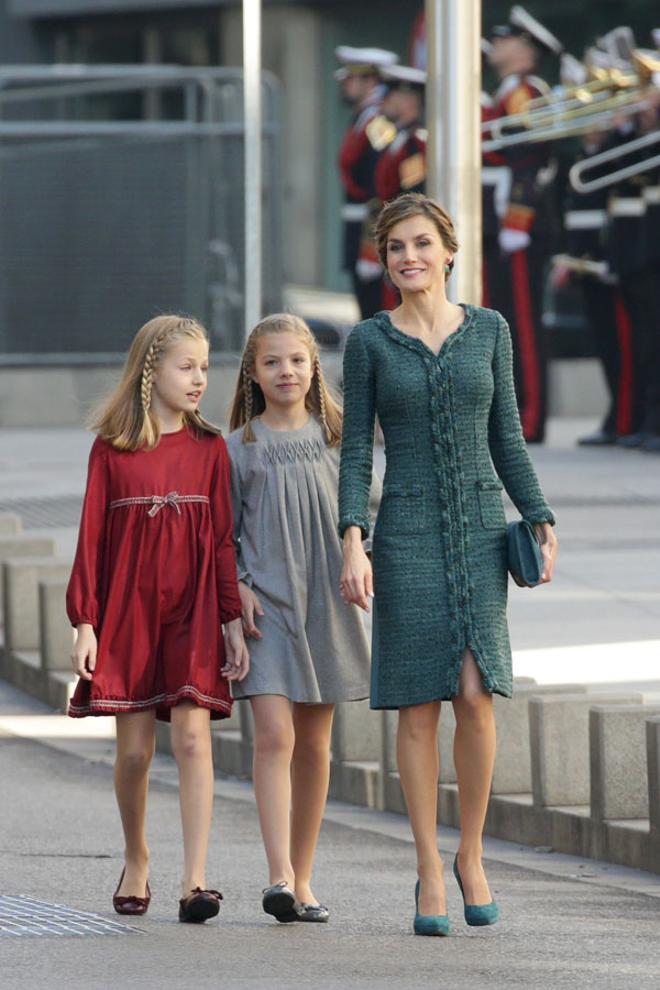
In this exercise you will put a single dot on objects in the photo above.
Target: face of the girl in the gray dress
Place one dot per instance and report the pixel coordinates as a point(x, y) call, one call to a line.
point(283, 369)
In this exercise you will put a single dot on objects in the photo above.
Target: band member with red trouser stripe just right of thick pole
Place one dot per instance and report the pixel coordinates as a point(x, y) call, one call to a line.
point(518, 215)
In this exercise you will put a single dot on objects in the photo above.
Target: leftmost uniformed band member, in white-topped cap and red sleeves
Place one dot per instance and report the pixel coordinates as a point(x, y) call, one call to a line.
point(368, 134)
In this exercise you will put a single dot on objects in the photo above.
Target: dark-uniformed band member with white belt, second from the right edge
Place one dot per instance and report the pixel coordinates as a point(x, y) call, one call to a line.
point(585, 226)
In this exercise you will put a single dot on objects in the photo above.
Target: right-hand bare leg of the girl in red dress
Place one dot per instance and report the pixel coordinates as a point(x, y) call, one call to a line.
point(191, 745)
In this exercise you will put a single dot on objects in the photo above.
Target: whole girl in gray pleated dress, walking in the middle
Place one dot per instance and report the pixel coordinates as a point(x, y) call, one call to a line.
point(309, 651)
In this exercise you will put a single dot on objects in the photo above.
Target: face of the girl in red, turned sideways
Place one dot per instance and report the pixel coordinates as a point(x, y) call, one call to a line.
point(180, 377)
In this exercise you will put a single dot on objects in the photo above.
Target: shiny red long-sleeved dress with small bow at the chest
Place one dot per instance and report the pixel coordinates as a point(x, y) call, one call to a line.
point(155, 574)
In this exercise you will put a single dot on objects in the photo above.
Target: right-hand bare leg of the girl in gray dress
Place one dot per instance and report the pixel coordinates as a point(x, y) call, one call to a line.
point(310, 777)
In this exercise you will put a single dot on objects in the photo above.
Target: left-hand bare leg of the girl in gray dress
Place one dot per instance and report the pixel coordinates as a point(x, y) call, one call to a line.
point(273, 749)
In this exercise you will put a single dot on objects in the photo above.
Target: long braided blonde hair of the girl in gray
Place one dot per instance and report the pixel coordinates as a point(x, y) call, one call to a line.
point(249, 399)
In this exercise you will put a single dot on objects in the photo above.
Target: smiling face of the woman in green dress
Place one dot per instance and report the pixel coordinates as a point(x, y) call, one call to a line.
point(416, 255)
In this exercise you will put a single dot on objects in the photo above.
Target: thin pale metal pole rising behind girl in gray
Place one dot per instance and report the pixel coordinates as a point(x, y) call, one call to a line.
point(252, 161)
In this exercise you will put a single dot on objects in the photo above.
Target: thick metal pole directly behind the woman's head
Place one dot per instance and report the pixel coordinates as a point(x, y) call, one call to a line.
point(453, 31)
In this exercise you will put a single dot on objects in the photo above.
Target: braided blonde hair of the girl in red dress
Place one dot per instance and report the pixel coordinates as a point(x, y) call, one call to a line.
point(125, 418)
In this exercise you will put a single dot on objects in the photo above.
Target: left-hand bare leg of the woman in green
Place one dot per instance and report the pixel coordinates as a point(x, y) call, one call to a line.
point(419, 767)
